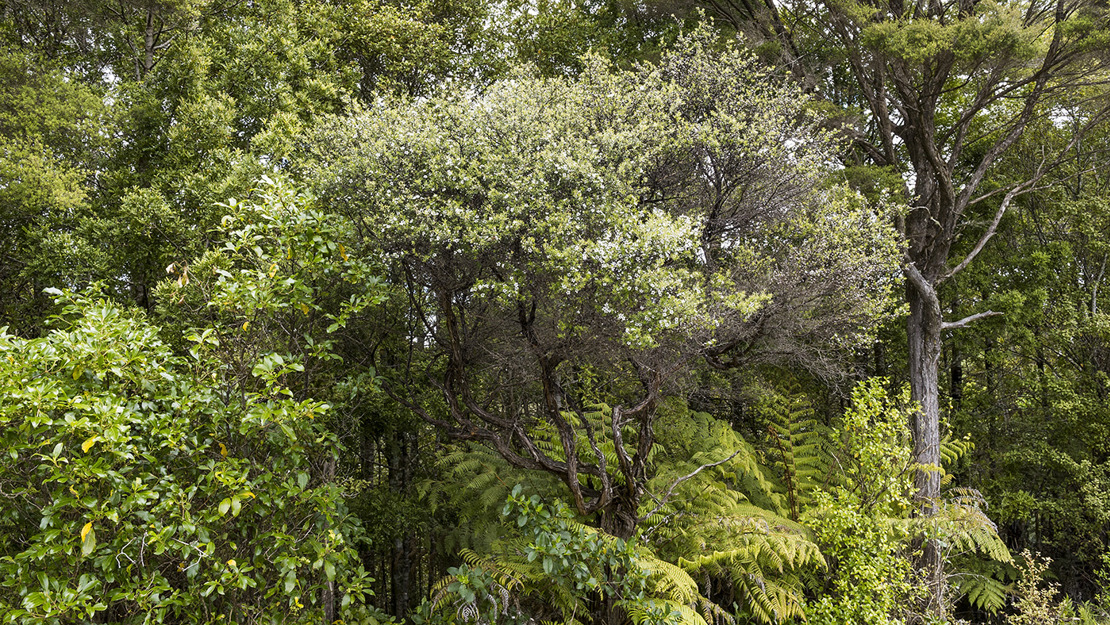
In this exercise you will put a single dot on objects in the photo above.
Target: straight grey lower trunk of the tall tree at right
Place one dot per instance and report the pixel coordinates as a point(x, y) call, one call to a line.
point(923, 330)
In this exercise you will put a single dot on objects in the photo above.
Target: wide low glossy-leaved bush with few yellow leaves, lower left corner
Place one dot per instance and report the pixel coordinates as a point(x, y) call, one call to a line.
point(142, 488)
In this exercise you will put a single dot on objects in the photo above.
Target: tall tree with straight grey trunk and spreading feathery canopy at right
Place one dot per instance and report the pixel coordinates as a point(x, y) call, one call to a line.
point(939, 93)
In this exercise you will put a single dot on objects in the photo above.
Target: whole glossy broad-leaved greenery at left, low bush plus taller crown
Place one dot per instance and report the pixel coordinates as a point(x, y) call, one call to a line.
point(184, 450)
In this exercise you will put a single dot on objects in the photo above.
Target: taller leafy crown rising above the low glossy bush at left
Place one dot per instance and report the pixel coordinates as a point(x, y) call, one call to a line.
point(277, 293)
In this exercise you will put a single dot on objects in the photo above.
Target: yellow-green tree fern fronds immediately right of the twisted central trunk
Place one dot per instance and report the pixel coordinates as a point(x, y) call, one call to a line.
point(729, 522)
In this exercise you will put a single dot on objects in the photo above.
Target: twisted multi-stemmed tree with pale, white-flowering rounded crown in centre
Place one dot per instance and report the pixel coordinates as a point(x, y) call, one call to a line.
point(567, 251)
